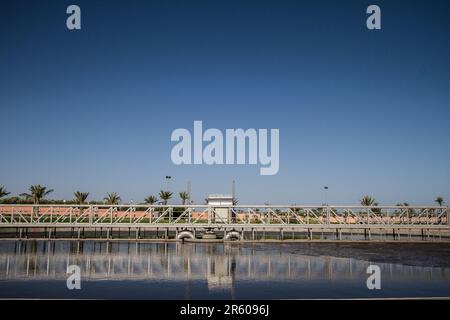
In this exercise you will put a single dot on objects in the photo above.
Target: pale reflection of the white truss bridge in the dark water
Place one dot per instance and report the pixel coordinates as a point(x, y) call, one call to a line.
point(221, 266)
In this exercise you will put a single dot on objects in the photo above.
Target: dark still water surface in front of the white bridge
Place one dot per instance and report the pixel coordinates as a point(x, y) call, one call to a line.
point(131, 270)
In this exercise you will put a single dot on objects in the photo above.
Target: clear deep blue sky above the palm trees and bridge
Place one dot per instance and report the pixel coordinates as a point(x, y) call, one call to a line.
point(363, 112)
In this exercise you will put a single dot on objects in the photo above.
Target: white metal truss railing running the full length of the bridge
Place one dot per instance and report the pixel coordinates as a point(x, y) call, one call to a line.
point(119, 215)
